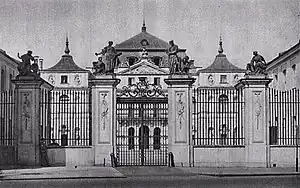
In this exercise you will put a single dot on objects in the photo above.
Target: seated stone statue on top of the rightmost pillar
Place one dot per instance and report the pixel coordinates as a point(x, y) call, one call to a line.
point(257, 65)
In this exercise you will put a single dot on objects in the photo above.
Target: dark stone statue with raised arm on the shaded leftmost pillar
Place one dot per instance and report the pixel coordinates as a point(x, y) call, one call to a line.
point(25, 68)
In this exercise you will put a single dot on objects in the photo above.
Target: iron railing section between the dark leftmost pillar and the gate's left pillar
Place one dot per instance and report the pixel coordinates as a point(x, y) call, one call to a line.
point(66, 117)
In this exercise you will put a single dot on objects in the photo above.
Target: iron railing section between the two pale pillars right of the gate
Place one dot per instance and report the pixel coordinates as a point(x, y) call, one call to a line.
point(217, 117)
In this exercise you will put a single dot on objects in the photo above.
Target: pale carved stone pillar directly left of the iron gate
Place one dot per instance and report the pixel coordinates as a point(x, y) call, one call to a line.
point(103, 116)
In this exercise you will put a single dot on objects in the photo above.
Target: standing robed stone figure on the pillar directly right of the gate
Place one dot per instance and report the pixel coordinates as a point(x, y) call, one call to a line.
point(173, 60)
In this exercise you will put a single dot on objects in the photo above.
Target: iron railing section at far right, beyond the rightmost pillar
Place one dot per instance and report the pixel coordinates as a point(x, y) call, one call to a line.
point(284, 116)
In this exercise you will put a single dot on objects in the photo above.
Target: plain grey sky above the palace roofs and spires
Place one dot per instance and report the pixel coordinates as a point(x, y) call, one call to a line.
point(268, 26)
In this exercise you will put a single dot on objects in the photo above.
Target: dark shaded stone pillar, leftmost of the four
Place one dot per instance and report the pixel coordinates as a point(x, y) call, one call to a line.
point(27, 128)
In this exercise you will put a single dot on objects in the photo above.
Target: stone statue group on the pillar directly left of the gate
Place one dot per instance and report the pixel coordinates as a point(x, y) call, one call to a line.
point(110, 58)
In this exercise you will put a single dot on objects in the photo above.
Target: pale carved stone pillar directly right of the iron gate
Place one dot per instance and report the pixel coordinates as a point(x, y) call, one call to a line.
point(179, 119)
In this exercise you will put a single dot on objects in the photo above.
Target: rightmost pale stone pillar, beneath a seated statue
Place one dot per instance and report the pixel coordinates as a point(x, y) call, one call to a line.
point(255, 119)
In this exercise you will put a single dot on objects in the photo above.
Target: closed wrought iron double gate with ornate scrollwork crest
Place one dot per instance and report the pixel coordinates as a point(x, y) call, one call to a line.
point(142, 125)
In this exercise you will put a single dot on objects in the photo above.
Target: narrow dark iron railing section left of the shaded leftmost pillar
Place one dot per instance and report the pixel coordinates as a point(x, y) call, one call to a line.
point(7, 118)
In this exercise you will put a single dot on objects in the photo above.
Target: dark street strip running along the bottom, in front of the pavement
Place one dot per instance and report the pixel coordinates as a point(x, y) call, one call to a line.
point(163, 181)
